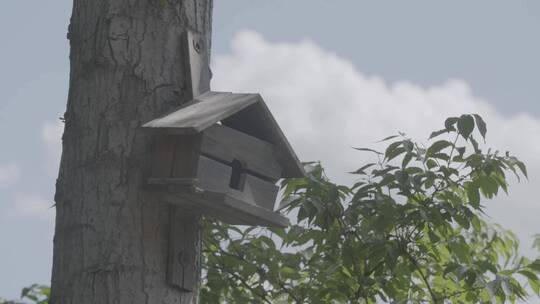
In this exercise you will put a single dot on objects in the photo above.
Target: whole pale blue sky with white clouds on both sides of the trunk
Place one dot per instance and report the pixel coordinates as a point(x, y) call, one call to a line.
point(336, 74)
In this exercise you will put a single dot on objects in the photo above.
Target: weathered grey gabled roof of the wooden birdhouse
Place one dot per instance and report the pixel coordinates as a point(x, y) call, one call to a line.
point(244, 112)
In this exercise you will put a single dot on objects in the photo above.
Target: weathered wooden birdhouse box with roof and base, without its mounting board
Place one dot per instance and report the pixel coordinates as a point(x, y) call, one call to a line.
point(223, 153)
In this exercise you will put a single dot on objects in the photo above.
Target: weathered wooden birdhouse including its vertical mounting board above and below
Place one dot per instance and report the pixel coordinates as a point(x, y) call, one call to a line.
point(219, 154)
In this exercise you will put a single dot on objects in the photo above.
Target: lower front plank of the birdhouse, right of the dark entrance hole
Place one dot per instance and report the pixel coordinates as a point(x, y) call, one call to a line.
point(257, 191)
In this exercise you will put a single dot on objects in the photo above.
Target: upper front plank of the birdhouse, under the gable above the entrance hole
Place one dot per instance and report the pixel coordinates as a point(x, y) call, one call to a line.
point(256, 156)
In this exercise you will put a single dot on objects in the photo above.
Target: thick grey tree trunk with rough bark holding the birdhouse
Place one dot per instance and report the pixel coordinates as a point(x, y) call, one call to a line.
point(127, 67)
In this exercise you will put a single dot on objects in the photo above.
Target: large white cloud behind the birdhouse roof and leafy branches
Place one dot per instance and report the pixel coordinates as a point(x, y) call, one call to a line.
point(325, 106)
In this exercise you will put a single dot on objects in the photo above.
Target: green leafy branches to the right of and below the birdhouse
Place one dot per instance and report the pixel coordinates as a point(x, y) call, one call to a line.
point(412, 229)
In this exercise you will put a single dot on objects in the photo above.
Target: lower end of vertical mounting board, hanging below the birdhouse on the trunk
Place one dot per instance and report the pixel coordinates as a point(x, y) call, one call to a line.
point(184, 248)
